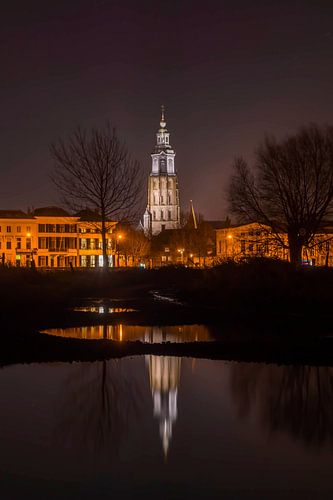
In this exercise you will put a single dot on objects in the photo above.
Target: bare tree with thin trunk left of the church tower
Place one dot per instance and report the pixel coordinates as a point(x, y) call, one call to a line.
point(95, 171)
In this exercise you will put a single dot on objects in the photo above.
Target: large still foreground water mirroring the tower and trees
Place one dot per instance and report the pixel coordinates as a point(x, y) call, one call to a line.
point(166, 427)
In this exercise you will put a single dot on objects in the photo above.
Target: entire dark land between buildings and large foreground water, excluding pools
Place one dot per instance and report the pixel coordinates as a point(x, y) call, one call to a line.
point(262, 310)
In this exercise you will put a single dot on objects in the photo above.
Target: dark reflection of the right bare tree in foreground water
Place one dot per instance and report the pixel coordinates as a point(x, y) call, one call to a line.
point(295, 399)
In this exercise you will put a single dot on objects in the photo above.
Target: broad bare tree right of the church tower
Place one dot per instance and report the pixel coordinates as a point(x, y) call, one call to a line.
point(290, 187)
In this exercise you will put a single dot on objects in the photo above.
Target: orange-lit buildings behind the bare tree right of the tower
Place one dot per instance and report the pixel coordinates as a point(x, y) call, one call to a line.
point(255, 240)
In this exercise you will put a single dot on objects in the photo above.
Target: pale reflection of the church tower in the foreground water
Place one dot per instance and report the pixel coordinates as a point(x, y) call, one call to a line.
point(164, 375)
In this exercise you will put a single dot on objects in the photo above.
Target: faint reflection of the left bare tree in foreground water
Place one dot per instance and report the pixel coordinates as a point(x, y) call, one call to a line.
point(100, 402)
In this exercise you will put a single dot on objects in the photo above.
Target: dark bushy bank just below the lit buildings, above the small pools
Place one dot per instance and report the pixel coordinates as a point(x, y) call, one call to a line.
point(258, 287)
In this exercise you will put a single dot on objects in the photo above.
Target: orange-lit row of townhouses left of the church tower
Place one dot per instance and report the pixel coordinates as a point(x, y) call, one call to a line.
point(50, 237)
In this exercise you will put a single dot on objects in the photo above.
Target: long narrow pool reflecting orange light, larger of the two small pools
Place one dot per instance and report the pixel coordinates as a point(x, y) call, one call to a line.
point(150, 334)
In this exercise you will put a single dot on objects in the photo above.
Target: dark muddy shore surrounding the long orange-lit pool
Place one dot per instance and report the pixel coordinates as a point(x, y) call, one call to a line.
point(23, 343)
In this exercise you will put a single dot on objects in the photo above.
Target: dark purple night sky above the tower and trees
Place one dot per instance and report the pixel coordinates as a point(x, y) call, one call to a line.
point(227, 71)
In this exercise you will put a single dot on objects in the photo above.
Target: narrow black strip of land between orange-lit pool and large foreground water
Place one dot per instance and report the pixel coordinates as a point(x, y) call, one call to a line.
point(31, 347)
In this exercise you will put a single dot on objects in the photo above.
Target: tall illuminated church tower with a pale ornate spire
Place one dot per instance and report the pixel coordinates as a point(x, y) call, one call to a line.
point(163, 211)
